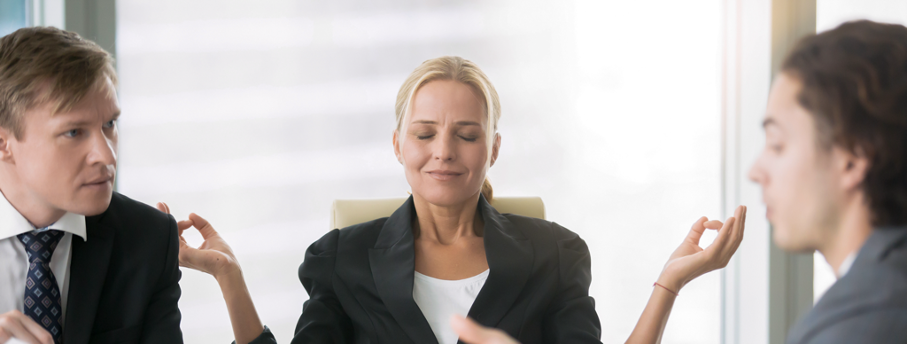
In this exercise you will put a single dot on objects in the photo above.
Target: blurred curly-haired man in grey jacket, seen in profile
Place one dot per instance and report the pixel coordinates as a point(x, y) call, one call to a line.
point(834, 177)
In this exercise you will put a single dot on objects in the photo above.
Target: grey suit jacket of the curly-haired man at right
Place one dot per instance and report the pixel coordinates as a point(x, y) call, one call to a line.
point(868, 304)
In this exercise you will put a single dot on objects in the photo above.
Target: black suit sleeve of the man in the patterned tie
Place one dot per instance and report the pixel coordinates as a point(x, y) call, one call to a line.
point(162, 316)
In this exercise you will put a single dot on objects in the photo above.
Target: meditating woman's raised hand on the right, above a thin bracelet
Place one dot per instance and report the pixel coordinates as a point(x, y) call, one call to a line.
point(690, 261)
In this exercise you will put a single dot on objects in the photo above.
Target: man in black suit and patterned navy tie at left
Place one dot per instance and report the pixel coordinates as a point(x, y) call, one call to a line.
point(79, 263)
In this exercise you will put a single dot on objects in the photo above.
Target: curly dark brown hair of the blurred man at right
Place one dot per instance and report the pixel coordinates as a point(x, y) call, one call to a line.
point(855, 81)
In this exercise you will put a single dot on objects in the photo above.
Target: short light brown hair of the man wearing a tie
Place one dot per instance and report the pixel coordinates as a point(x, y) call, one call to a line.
point(41, 65)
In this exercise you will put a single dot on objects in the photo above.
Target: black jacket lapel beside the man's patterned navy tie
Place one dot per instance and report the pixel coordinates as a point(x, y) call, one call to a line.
point(88, 269)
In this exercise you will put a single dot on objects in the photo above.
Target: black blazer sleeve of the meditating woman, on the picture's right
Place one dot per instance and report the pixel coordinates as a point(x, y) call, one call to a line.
point(571, 317)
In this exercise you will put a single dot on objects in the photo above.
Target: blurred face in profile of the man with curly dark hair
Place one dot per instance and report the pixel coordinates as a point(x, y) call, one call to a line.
point(797, 175)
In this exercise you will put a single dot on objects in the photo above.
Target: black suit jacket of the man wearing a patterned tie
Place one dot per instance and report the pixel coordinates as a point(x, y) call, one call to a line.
point(123, 285)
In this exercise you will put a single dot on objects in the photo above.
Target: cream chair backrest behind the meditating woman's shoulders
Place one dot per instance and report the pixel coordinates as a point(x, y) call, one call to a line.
point(348, 212)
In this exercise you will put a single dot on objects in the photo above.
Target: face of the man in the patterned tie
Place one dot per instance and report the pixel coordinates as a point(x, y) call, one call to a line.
point(67, 161)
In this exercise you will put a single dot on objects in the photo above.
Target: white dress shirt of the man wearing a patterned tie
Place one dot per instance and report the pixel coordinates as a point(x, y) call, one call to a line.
point(14, 258)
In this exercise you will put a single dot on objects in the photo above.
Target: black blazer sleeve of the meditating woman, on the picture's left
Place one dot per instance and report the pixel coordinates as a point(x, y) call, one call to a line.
point(323, 319)
